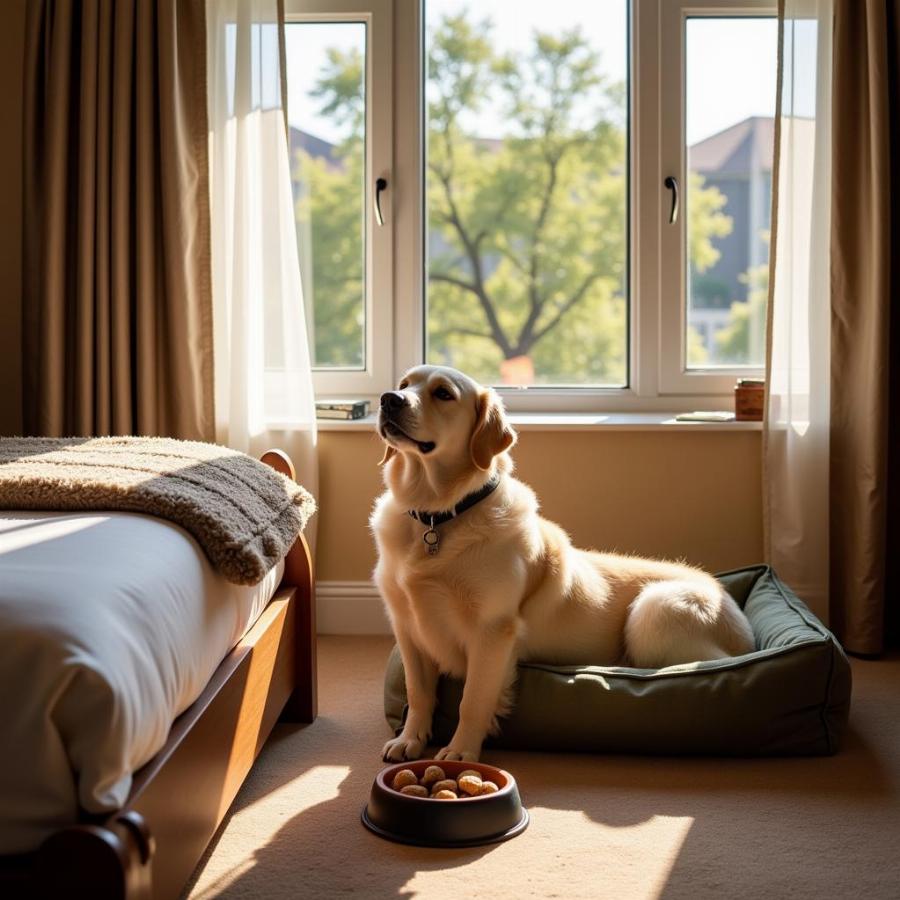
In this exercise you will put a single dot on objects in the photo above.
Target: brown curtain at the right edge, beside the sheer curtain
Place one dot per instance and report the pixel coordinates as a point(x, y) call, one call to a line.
point(865, 350)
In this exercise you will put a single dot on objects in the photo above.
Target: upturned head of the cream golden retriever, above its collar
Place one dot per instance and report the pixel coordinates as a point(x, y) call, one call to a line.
point(441, 416)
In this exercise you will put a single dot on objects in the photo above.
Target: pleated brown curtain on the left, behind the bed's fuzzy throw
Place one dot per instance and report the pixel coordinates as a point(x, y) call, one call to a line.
point(117, 318)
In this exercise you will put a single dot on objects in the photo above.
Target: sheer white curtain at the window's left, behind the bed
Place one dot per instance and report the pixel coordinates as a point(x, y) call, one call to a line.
point(264, 394)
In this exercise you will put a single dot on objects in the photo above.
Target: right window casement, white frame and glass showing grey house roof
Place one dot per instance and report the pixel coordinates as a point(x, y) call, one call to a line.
point(717, 130)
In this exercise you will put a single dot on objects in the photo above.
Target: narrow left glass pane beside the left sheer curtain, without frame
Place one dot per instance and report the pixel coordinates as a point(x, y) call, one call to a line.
point(327, 117)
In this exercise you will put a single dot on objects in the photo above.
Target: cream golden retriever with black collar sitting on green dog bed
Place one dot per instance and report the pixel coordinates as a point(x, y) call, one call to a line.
point(474, 580)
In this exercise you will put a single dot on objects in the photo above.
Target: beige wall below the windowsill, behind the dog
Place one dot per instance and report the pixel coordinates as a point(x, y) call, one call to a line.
point(673, 494)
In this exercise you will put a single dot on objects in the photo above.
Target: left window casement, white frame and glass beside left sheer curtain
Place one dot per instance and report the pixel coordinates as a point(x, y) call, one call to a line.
point(339, 116)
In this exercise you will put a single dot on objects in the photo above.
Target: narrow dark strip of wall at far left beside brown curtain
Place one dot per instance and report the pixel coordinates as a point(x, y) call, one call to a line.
point(11, 47)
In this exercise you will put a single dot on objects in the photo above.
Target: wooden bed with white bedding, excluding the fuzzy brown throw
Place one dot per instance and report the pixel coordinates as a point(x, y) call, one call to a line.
point(150, 792)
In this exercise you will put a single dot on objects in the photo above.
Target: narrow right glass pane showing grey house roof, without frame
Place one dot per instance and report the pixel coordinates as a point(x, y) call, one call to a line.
point(730, 110)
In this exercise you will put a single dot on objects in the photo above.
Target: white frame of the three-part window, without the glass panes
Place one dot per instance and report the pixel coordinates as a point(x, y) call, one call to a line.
point(657, 377)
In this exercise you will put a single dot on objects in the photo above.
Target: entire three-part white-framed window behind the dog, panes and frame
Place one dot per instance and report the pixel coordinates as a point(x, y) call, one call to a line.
point(524, 158)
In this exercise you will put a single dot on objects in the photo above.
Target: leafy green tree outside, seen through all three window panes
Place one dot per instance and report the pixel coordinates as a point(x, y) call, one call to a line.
point(528, 233)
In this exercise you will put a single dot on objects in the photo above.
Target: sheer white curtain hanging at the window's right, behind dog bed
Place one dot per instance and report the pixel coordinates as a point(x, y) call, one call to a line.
point(796, 447)
